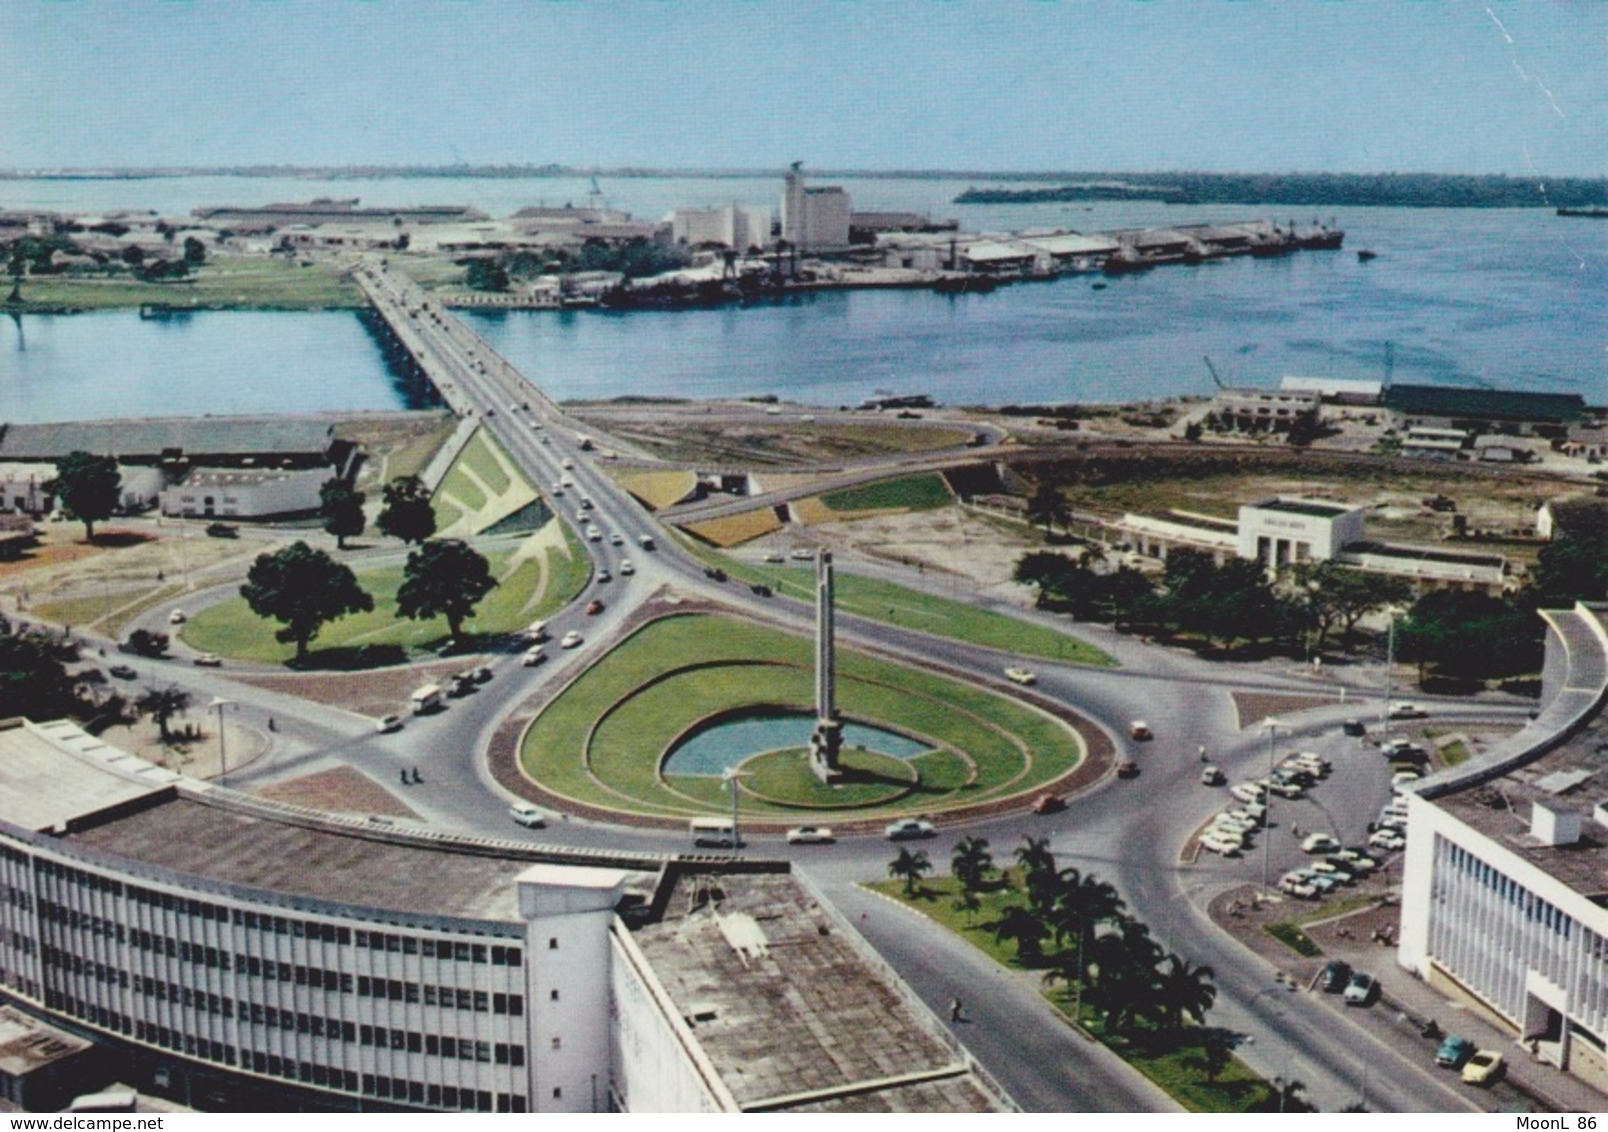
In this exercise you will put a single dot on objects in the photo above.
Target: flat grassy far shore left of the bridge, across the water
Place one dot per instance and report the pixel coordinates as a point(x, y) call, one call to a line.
point(244, 282)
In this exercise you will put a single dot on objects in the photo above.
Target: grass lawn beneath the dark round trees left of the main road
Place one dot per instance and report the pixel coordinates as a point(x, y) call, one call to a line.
point(234, 631)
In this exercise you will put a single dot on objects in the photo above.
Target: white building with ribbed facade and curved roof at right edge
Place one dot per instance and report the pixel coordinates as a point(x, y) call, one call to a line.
point(1506, 885)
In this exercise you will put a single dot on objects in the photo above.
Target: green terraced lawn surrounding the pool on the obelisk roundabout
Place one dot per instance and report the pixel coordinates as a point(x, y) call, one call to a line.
point(604, 739)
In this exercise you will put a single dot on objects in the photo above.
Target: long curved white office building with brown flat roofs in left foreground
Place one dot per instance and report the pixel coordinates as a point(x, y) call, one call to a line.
point(334, 964)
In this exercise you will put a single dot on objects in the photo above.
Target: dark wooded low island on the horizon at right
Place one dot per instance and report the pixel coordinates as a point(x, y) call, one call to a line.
point(1313, 191)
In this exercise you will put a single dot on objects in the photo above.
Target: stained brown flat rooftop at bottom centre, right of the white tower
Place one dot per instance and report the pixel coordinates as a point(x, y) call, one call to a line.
point(790, 1012)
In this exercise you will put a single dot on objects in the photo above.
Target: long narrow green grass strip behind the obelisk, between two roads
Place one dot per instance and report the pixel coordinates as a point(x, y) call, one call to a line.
point(930, 613)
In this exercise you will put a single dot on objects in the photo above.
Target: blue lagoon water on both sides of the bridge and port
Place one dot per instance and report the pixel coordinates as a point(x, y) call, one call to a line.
point(1466, 297)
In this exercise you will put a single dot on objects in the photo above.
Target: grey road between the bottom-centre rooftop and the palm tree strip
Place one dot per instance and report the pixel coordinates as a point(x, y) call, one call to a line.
point(1019, 1038)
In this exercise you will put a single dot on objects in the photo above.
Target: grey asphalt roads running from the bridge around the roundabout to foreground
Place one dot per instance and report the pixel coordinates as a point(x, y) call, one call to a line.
point(1126, 832)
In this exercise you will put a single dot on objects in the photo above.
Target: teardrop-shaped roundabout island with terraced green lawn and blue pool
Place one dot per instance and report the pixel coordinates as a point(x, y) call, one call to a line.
point(617, 739)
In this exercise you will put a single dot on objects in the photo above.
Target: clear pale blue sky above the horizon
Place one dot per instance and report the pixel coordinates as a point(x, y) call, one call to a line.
point(1226, 86)
